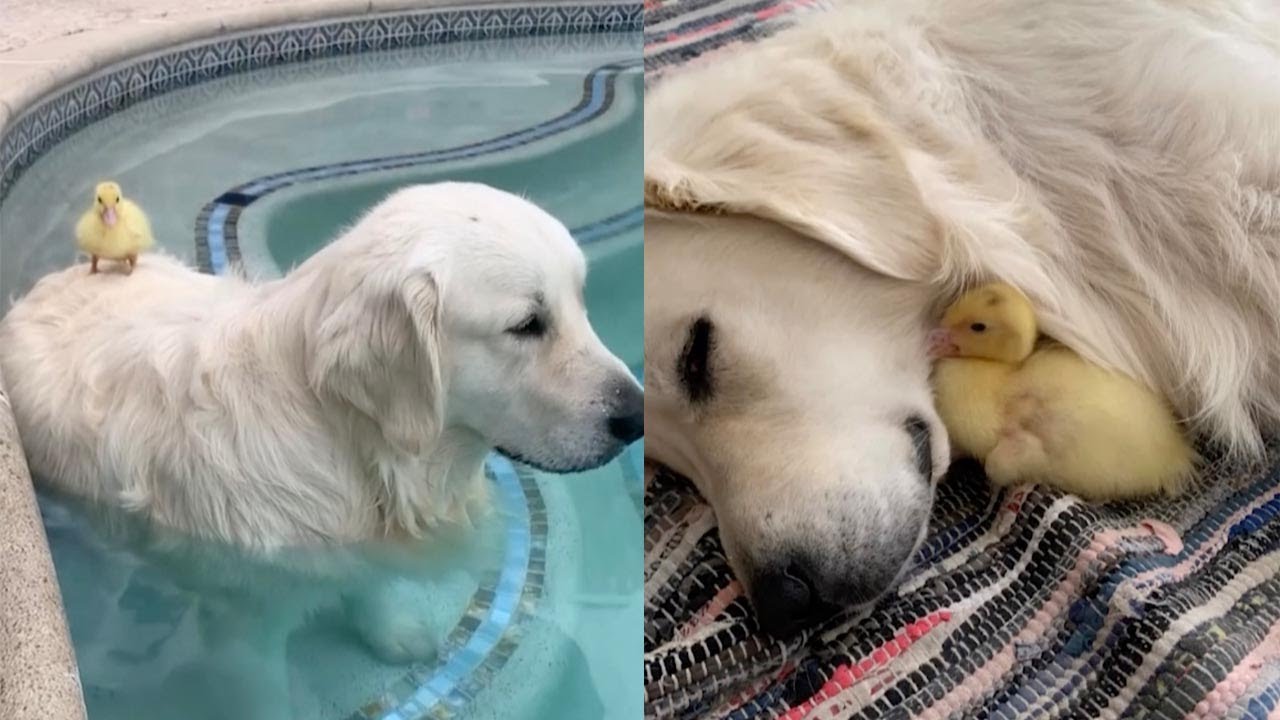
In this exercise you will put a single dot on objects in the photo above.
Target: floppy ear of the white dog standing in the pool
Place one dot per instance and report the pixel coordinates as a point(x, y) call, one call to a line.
point(380, 350)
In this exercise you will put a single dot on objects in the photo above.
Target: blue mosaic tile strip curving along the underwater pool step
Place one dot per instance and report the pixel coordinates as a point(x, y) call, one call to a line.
point(487, 636)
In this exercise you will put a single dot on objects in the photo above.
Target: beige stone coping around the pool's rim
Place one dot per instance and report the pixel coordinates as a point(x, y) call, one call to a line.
point(39, 676)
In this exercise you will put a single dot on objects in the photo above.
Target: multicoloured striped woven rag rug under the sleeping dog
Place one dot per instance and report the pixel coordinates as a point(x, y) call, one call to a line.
point(1023, 604)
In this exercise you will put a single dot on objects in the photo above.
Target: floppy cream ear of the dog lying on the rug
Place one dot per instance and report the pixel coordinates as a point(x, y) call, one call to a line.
point(831, 174)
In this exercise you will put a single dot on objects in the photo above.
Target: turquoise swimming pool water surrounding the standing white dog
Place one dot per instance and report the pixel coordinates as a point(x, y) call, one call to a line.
point(260, 168)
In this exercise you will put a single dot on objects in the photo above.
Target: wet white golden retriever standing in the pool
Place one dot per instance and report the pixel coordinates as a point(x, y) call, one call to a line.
point(353, 402)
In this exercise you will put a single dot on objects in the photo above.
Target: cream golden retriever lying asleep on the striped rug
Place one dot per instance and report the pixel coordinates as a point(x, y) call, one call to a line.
point(817, 198)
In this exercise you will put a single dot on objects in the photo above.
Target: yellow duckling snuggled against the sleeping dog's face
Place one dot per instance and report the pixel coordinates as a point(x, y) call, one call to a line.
point(1048, 414)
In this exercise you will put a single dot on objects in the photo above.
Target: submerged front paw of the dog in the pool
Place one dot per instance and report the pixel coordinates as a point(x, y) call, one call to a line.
point(395, 623)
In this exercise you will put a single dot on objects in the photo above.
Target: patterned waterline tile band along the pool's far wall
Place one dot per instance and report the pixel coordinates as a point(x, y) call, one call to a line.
point(120, 86)
